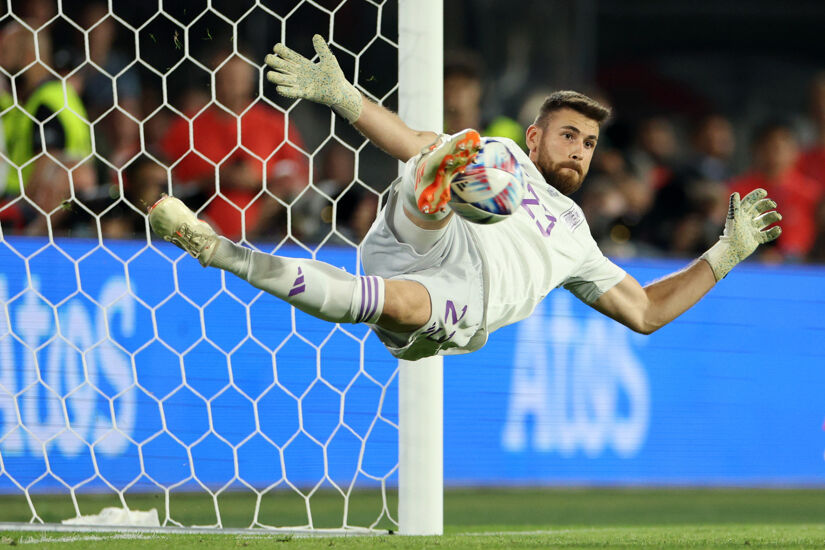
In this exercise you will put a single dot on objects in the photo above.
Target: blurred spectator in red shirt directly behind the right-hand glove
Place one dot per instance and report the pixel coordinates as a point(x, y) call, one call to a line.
point(775, 151)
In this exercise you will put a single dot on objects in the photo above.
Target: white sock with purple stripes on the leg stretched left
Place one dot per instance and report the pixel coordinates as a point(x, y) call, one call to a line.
point(314, 287)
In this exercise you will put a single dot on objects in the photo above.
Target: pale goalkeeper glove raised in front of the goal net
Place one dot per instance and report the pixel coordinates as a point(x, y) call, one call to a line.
point(296, 76)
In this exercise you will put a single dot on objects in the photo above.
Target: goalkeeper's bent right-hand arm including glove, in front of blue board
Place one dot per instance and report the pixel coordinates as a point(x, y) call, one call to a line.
point(650, 308)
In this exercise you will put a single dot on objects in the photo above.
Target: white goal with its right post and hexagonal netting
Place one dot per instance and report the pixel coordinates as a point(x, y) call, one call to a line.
point(123, 370)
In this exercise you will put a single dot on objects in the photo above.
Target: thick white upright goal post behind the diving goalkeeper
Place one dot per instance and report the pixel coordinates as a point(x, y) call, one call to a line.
point(421, 400)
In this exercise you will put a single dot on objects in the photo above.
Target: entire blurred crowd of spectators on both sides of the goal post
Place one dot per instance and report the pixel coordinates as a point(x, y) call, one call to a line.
point(658, 186)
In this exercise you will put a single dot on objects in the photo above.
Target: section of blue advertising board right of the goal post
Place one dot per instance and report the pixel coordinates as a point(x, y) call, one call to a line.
point(730, 393)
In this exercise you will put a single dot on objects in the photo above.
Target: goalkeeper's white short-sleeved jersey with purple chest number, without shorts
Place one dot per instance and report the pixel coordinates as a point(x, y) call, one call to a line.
point(544, 245)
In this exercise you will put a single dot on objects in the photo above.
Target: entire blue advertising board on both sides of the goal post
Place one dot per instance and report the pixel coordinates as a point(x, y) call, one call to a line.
point(129, 365)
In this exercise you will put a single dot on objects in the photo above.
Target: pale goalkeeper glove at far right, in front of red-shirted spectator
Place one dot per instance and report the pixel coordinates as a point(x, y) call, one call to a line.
point(744, 231)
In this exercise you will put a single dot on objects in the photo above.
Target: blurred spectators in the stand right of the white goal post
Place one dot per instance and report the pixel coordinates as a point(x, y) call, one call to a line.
point(660, 185)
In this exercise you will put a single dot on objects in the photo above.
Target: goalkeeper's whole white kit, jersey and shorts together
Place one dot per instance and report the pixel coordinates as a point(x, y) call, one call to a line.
point(483, 277)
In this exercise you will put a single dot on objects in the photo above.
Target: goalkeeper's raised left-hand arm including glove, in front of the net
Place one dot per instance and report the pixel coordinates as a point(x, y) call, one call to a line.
point(324, 82)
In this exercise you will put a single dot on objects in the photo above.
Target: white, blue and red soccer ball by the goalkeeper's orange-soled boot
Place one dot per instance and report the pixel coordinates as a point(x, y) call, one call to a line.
point(490, 188)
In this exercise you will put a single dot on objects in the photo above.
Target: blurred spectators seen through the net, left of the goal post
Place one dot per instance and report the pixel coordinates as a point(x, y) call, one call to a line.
point(229, 154)
